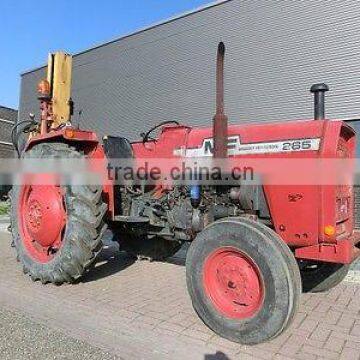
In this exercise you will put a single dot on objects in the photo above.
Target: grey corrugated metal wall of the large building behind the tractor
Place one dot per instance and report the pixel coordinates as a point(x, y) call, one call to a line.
point(275, 51)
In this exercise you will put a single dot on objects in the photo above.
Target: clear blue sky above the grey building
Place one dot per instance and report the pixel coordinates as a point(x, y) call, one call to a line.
point(31, 29)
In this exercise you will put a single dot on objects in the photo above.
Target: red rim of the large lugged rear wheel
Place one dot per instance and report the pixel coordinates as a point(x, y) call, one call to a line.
point(42, 220)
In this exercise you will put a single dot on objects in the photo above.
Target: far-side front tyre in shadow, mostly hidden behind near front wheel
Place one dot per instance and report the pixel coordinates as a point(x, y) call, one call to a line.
point(321, 276)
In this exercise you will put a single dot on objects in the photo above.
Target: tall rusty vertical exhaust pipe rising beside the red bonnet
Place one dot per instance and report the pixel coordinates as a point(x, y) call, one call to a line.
point(220, 120)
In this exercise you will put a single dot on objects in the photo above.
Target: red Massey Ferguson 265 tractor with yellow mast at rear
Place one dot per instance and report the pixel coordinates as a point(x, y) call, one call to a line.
point(253, 248)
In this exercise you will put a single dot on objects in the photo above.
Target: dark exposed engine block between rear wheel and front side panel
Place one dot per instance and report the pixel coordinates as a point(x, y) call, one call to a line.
point(175, 215)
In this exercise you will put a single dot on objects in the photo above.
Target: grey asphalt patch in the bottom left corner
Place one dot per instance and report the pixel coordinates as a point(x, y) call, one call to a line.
point(22, 338)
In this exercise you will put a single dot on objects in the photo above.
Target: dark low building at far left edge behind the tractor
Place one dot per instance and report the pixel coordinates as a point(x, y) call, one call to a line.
point(7, 119)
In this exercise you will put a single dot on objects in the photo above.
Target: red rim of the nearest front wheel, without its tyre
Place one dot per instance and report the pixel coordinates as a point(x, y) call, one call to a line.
point(233, 283)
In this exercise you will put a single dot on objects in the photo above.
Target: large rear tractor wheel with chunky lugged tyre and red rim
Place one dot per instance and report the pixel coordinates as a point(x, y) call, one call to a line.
point(56, 230)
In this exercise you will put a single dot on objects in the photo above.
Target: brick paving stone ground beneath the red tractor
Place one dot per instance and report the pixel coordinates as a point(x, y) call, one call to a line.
point(141, 310)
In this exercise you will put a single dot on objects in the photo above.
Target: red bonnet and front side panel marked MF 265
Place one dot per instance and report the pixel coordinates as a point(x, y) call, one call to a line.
point(298, 212)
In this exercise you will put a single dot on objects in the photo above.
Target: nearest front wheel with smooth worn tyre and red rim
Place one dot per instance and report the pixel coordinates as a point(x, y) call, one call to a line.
point(244, 282)
